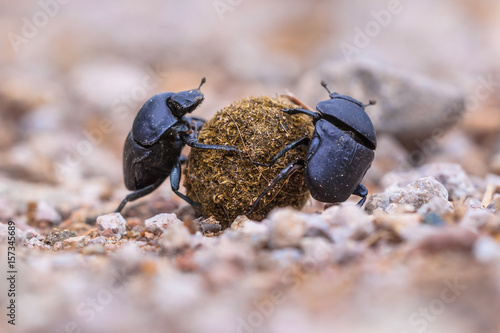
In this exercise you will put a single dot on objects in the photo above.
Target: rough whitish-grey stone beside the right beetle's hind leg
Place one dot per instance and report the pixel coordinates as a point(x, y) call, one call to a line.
point(416, 194)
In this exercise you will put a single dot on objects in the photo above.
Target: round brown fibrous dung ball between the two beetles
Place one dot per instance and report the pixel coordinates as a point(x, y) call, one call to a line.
point(227, 184)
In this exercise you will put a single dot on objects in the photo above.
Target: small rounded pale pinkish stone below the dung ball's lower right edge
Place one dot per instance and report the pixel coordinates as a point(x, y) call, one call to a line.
point(287, 227)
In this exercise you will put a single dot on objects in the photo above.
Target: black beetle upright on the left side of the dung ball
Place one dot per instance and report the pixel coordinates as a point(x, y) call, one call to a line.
point(152, 150)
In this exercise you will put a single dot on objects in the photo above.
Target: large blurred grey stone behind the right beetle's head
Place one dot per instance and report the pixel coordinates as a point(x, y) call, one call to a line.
point(410, 107)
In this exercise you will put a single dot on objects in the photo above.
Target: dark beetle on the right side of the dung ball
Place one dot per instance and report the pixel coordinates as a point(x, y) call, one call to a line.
point(339, 153)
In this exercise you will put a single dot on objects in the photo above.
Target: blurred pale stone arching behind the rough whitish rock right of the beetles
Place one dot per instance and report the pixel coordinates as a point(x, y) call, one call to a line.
point(452, 176)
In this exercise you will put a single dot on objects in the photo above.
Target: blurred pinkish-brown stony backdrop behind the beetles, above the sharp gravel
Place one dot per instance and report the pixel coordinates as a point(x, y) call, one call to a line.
point(74, 73)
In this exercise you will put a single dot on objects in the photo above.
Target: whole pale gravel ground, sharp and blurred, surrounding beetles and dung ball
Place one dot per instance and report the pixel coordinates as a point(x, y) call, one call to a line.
point(422, 255)
